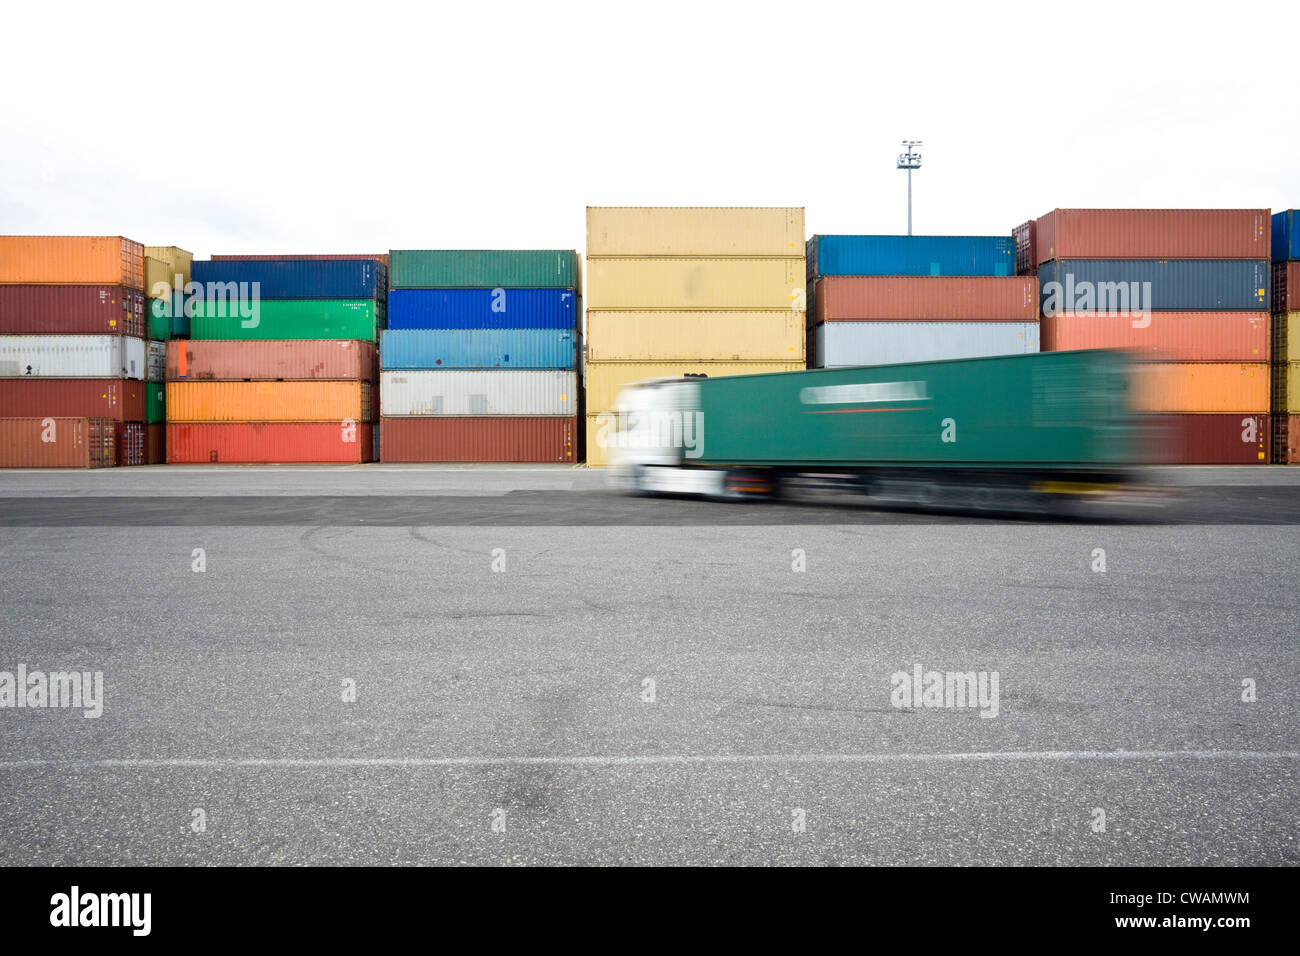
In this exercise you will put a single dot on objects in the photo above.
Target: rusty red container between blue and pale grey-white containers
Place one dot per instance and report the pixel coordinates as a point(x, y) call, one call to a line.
point(921, 299)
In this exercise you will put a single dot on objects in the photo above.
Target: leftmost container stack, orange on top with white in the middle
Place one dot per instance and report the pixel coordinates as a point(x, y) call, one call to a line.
point(72, 351)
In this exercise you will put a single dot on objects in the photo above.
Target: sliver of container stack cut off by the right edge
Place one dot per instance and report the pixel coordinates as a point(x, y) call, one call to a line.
point(1286, 338)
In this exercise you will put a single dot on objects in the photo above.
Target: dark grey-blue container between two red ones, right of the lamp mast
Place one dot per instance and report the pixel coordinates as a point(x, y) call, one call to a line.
point(1176, 285)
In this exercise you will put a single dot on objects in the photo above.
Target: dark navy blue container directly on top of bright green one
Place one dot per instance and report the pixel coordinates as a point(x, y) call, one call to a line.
point(302, 279)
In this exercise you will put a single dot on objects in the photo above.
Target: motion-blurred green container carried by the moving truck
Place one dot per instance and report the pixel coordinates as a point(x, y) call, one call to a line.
point(1051, 409)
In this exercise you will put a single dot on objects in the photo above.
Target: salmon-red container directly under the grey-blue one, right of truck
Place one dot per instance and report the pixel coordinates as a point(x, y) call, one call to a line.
point(1167, 338)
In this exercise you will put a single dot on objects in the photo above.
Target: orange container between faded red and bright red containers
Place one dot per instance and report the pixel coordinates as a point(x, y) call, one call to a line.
point(268, 401)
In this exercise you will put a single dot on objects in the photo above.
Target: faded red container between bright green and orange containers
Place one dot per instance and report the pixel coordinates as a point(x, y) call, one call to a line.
point(272, 361)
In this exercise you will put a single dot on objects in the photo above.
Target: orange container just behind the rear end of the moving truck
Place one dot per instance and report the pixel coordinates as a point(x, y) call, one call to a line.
point(1206, 387)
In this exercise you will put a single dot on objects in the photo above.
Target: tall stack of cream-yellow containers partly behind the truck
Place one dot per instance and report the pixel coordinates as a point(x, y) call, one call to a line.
point(688, 291)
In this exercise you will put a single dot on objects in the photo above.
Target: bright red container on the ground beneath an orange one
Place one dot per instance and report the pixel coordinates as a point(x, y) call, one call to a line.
point(270, 443)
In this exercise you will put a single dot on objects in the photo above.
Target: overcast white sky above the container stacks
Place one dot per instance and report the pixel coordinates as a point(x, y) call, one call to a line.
point(271, 128)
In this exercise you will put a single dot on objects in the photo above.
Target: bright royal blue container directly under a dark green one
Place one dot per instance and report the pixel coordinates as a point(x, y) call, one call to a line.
point(483, 309)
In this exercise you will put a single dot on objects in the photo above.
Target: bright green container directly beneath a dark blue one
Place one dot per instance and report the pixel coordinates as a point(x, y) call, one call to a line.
point(358, 319)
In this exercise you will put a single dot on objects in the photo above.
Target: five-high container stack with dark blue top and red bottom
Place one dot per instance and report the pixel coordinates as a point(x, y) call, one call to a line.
point(280, 365)
